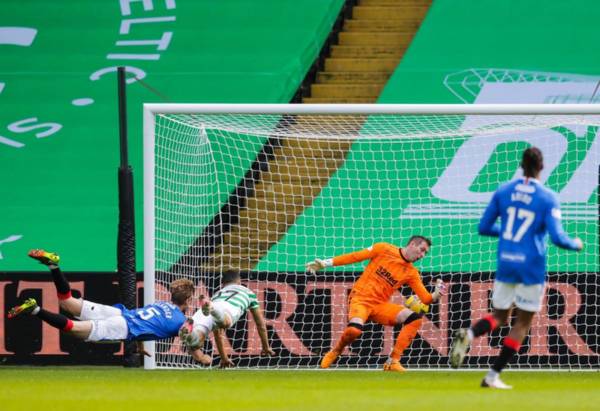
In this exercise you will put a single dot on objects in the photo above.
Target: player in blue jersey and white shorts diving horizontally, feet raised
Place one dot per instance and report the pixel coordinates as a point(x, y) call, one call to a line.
point(97, 322)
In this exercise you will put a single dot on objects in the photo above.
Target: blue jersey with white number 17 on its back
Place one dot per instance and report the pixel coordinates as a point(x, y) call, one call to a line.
point(528, 211)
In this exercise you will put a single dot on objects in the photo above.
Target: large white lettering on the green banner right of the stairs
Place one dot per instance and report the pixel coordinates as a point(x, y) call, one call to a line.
point(454, 184)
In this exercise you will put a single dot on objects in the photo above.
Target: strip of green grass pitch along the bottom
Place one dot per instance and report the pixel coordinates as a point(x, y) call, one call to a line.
point(109, 389)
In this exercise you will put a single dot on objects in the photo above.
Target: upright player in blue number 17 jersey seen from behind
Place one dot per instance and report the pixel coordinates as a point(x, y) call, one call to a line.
point(528, 212)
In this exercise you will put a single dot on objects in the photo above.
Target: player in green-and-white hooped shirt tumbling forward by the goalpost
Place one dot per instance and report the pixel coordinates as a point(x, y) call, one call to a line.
point(226, 308)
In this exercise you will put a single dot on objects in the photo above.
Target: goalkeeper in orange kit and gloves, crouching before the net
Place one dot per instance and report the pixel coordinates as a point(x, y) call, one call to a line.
point(390, 268)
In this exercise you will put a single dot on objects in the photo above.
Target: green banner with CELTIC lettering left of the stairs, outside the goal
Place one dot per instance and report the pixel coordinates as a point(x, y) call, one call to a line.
point(58, 111)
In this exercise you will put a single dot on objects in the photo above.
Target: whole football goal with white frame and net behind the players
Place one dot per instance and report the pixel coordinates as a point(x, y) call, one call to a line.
point(263, 189)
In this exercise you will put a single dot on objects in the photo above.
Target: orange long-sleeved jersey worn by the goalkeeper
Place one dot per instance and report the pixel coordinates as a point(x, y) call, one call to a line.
point(387, 271)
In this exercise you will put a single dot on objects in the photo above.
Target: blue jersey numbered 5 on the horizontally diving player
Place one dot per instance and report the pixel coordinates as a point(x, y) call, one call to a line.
point(153, 321)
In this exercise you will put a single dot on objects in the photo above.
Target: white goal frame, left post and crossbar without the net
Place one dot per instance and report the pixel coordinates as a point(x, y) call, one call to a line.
point(151, 110)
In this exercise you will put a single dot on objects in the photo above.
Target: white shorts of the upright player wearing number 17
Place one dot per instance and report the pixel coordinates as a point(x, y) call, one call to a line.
point(525, 297)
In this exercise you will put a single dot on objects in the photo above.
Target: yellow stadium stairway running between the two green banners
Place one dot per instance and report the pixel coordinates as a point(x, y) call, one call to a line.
point(368, 48)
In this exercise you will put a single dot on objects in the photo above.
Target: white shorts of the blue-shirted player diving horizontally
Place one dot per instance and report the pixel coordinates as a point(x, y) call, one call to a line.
point(107, 322)
